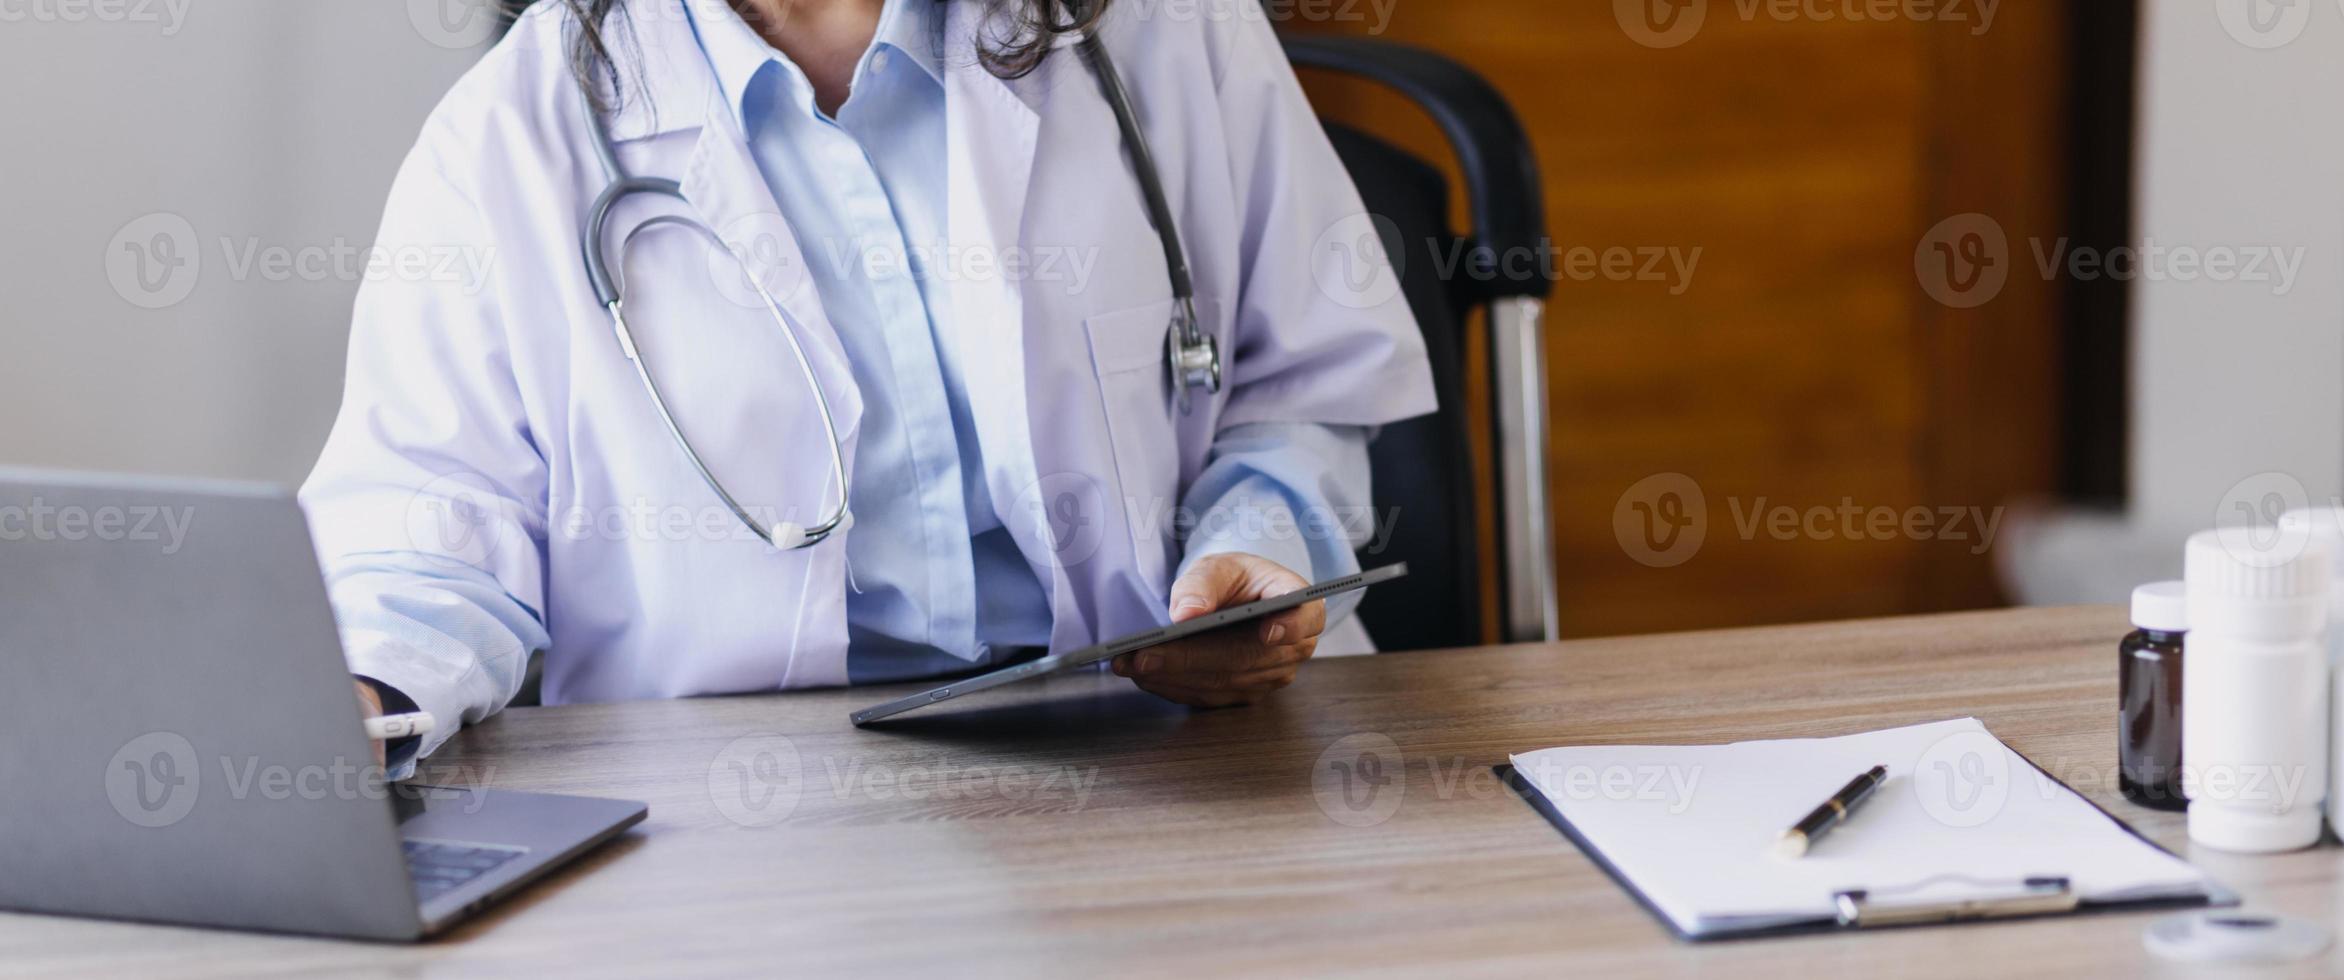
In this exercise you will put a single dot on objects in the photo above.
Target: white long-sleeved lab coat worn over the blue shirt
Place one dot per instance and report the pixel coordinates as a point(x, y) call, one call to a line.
point(493, 423)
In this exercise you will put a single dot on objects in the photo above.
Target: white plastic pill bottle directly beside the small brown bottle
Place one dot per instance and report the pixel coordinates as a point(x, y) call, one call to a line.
point(2256, 690)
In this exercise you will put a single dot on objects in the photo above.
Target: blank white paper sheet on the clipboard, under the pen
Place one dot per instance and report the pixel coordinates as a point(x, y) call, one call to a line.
point(1696, 826)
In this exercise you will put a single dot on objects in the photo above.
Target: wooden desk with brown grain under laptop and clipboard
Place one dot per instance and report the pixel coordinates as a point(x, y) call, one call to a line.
point(1079, 826)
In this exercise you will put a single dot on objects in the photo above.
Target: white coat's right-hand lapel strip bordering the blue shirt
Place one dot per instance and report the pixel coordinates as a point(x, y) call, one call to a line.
point(993, 128)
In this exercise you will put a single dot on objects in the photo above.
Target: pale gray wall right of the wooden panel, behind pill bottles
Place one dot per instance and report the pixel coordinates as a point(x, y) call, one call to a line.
point(2237, 386)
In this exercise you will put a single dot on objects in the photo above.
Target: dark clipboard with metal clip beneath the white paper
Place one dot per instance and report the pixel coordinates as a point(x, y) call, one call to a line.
point(1893, 906)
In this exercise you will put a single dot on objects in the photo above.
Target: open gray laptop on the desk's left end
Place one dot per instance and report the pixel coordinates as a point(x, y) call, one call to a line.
point(182, 742)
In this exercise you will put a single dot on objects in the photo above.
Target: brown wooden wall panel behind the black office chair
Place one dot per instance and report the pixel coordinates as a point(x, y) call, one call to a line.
point(1801, 365)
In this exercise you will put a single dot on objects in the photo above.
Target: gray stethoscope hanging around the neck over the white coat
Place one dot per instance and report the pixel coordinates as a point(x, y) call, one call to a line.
point(1192, 355)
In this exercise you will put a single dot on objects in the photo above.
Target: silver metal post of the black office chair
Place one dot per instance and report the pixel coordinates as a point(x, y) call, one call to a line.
point(1520, 381)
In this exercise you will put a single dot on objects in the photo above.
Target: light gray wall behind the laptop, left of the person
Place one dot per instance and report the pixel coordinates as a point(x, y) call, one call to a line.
point(229, 130)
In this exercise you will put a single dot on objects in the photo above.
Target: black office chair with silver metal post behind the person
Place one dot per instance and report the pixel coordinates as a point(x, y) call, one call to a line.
point(1424, 475)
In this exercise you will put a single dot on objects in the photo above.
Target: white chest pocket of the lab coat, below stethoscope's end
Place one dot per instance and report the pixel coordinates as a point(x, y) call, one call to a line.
point(1136, 393)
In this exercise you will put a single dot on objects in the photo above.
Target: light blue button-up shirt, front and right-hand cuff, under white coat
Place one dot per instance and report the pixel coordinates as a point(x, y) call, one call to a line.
point(864, 193)
